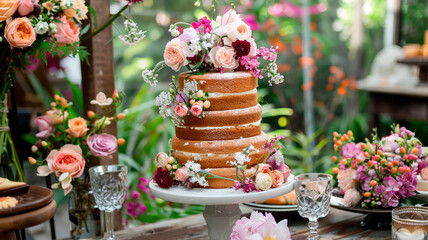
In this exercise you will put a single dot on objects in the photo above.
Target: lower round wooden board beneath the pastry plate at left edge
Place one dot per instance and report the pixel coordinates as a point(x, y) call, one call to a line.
point(27, 219)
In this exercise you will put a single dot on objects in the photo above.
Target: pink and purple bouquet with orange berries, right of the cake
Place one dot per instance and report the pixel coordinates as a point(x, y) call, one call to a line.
point(380, 173)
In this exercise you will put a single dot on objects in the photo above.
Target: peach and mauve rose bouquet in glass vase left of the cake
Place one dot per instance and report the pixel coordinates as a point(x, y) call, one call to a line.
point(66, 144)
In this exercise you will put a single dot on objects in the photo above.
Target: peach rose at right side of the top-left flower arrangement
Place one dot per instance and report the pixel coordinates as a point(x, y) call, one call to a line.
point(68, 31)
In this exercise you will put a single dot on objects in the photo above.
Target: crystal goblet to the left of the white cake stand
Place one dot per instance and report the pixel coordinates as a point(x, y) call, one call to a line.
point(109, 184)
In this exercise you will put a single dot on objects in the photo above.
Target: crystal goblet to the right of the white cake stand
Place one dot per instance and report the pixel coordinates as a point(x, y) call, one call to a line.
point(313, 193)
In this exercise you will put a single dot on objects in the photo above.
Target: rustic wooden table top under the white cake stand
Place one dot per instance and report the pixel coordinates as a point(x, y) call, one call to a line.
point(337, 225)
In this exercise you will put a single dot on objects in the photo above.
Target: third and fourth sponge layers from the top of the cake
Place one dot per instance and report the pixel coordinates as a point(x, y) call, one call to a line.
point(222, 125)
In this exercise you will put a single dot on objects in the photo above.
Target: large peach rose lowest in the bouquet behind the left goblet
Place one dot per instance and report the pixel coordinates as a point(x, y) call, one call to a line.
point(68, 159)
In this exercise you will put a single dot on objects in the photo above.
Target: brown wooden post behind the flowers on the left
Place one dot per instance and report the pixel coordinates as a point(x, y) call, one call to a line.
point(98, 76)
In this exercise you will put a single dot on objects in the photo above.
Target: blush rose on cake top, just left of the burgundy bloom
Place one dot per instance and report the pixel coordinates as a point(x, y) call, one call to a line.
point(223, 57)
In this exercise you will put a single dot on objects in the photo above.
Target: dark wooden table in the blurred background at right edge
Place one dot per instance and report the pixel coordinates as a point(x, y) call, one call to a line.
point(400, 103)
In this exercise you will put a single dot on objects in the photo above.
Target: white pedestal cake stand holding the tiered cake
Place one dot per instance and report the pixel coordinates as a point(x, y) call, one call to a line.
point(222, 209)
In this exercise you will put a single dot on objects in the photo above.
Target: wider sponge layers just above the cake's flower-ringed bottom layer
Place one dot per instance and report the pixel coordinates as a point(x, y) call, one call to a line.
point(217, 153)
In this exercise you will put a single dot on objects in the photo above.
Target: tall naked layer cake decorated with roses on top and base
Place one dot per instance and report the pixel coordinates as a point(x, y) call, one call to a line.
point(218, 141)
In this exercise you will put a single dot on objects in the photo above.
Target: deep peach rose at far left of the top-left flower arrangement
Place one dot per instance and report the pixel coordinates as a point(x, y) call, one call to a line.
point(20, 33)
